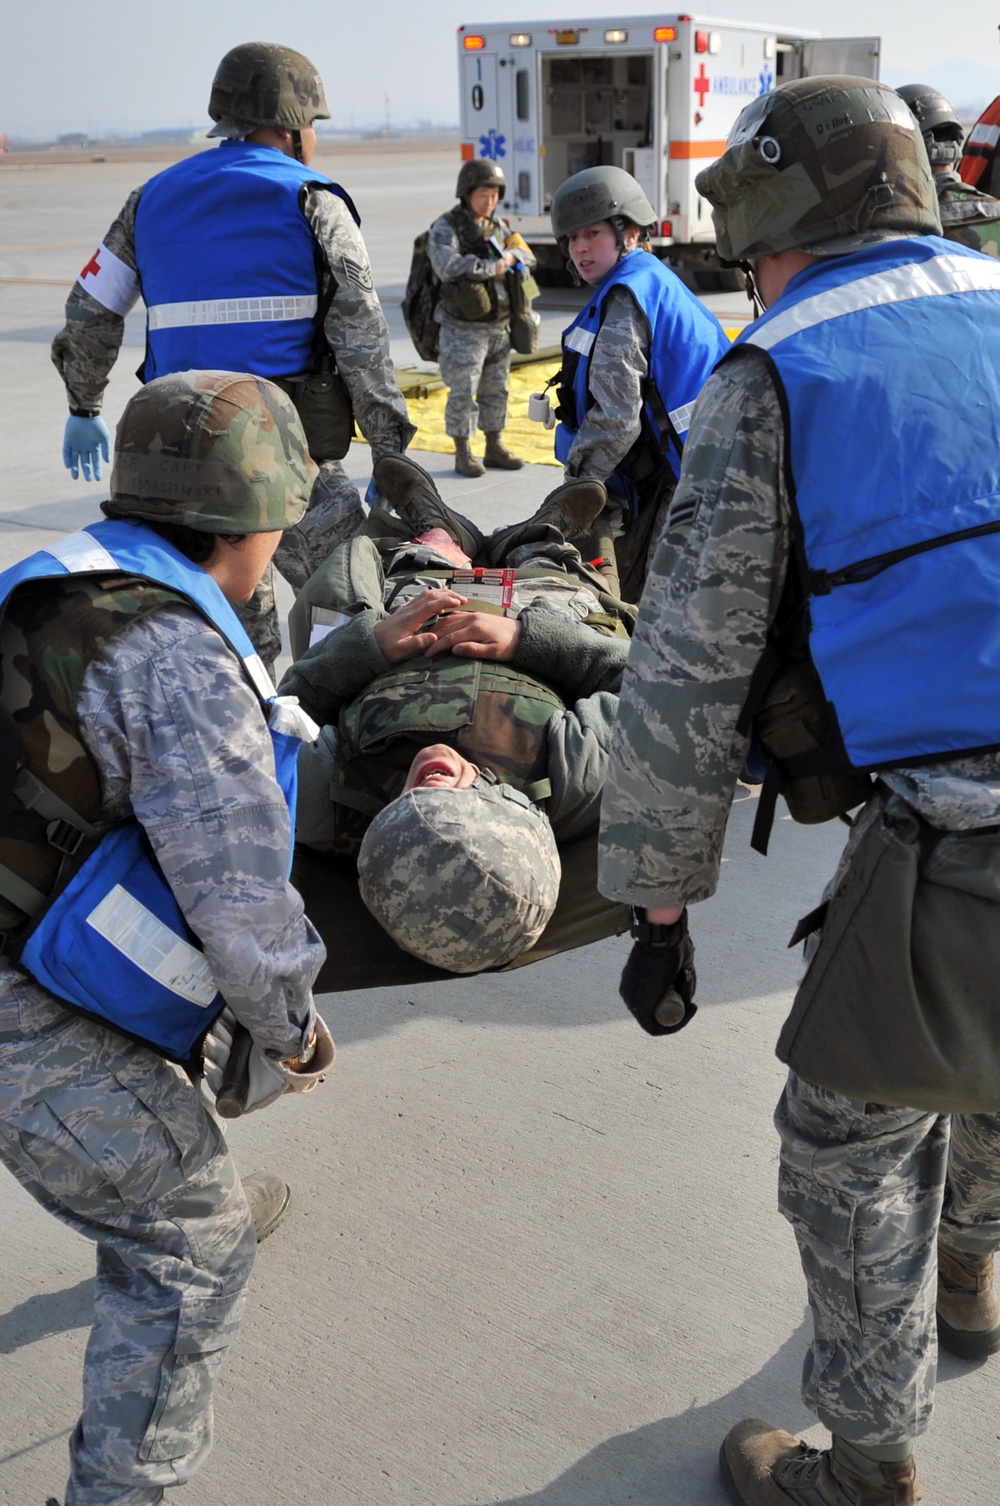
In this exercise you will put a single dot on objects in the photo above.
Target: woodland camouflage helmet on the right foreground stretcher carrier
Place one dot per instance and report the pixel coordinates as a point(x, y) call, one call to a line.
point(825, 165)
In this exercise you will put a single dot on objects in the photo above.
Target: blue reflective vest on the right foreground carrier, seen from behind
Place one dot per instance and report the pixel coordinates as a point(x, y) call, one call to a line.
point(889, 364)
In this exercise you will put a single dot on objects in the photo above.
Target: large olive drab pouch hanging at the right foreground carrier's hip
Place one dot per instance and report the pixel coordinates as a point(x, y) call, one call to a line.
point(900, 999)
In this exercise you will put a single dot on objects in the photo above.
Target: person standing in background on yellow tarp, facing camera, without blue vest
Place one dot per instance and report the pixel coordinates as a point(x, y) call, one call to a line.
point(474, 254)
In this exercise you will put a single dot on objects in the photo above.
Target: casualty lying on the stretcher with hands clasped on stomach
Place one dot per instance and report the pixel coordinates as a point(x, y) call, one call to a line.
point(466, 716)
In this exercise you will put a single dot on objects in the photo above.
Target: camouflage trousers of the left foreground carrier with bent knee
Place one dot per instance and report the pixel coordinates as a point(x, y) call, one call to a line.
point(117, 1144)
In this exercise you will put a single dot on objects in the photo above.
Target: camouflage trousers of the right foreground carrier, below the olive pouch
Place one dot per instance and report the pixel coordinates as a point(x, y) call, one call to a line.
point(867, 1190)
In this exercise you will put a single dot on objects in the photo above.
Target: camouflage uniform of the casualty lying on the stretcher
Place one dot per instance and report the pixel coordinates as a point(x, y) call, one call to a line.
point(581, 668)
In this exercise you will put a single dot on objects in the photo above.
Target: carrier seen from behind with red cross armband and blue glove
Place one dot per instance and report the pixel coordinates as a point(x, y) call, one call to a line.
point(248, 258)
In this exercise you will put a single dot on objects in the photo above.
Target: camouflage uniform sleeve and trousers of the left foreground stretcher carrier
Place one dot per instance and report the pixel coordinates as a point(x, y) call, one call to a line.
point(109, 1136)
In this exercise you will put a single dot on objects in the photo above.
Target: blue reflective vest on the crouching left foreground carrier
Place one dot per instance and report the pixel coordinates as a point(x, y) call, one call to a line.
point(114, 944)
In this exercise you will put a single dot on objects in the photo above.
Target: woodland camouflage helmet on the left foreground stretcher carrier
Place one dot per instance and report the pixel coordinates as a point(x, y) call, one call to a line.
point(219, 453)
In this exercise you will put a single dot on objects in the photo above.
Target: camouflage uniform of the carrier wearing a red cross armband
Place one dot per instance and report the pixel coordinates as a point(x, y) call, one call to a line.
point(356, 331)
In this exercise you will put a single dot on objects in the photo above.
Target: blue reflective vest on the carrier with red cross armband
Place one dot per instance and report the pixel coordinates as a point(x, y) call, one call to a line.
point(228, 263)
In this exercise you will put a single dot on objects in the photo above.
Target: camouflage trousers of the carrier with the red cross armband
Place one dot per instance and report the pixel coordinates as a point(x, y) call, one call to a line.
point(335, 514)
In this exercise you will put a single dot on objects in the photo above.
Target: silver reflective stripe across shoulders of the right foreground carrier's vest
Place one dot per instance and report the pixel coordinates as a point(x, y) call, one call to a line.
point(941, 276)
